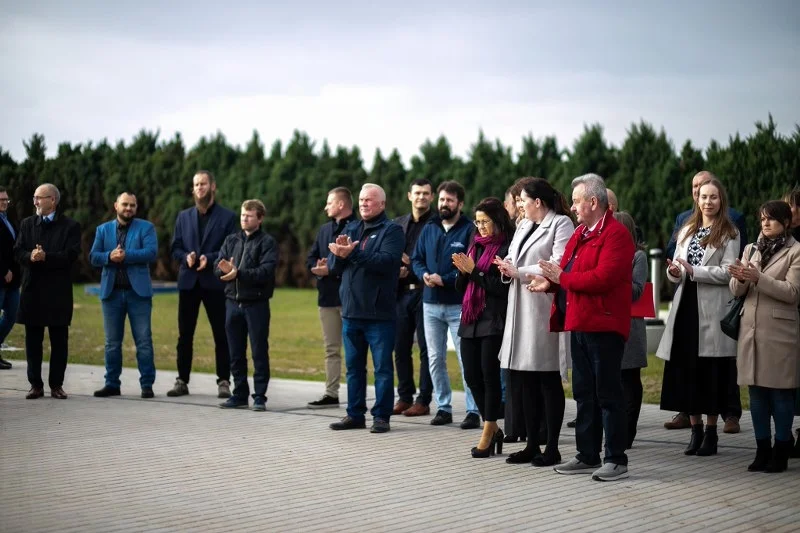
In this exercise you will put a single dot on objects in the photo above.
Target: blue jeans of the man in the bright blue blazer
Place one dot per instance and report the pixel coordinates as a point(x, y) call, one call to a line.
point(122, 302)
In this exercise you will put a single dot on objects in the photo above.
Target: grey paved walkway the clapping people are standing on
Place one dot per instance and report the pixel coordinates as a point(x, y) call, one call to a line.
point(127, 464)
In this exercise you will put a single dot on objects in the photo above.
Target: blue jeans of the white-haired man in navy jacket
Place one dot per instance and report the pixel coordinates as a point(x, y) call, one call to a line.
point(377, 336)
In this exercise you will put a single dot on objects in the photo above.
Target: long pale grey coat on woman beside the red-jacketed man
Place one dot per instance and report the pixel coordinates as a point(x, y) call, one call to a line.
point(528, 343)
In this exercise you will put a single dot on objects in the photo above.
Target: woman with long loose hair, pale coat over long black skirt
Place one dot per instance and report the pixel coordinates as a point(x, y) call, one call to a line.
point(699, 356)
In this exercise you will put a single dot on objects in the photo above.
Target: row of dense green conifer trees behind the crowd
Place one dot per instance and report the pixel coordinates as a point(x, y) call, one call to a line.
point(651, 178)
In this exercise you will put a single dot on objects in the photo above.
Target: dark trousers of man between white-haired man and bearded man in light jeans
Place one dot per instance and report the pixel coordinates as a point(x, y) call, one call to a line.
point(409, 320)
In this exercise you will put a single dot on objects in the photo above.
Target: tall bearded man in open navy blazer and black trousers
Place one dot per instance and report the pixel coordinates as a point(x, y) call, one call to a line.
point(199, 234)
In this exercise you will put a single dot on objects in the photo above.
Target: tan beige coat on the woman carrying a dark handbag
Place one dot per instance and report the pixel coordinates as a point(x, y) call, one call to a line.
point(769, 334)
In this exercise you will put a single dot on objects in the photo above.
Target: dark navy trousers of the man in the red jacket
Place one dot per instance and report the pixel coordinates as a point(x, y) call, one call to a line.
point(597, 389)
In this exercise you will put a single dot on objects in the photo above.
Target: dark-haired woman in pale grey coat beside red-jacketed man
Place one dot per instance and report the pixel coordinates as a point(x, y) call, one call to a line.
point(529, 350)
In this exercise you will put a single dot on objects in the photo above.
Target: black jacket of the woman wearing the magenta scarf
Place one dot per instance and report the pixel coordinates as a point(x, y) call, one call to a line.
point(492, 320)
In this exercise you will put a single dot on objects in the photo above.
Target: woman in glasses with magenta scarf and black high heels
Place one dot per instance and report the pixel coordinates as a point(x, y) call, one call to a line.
point(483, 316)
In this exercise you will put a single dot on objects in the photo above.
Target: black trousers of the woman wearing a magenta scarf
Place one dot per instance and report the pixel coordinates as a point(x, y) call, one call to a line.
point(482, 373)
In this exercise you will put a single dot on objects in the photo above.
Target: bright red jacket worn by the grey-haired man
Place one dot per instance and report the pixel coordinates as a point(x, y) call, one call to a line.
point(599, 289)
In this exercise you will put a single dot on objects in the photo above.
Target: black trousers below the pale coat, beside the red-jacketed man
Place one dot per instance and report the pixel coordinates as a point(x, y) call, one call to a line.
point(541, 395)
